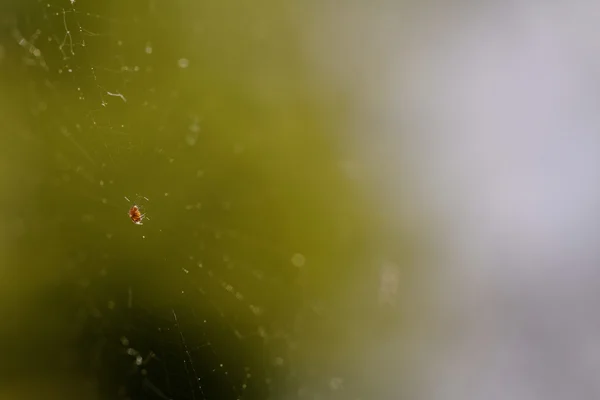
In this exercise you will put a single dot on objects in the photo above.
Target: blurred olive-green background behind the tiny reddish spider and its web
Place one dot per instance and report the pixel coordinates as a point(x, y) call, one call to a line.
point(213, 111)
